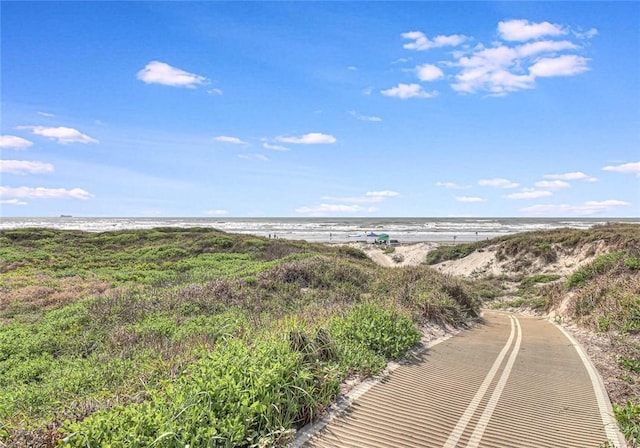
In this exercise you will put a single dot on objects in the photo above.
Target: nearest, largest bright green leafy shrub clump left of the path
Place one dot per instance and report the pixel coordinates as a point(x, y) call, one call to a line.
point(239, 395)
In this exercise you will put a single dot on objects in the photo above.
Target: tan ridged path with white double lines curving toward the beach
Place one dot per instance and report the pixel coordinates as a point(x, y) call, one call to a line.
point(514, 382)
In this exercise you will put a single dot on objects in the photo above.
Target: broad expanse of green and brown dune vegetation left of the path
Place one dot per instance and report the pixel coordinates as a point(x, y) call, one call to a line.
point(169, 337)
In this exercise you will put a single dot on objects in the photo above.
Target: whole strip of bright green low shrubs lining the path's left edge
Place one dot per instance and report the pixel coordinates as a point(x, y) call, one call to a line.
point(253, 394)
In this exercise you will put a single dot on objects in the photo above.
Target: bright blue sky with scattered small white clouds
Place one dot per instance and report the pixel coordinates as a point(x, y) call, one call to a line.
point(240, 109)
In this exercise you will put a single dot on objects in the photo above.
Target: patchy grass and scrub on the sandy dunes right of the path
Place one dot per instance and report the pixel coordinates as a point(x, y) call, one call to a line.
point(603, 295)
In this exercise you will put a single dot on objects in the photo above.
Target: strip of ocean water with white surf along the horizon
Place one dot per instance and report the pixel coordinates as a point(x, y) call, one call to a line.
point(337, 230)
